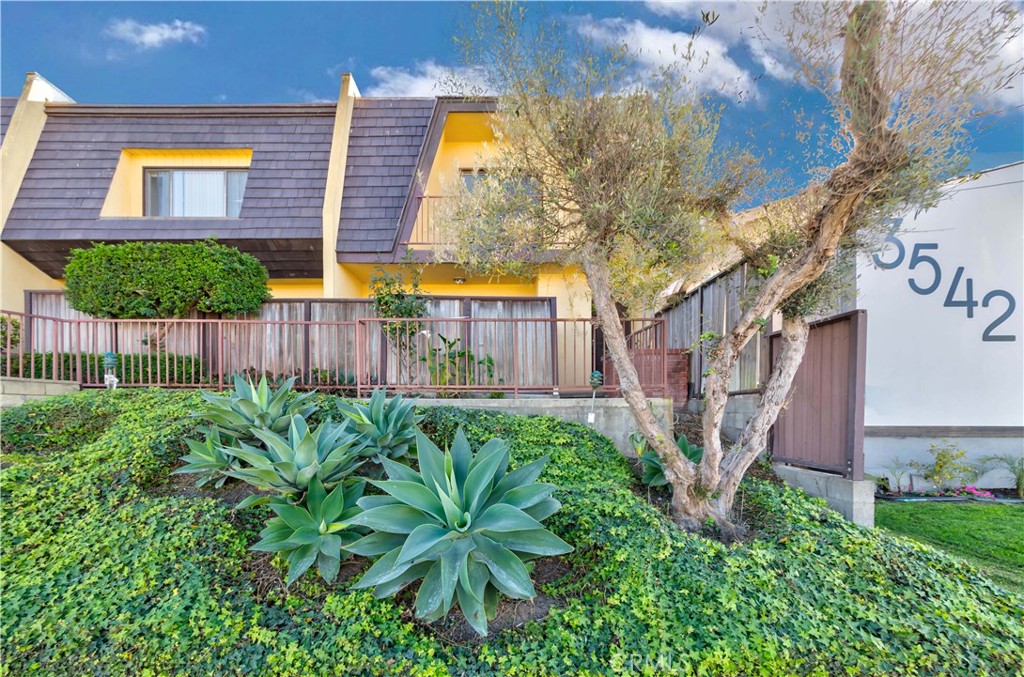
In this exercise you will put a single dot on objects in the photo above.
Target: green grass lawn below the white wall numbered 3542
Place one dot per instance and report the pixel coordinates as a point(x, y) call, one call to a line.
point(991, 536)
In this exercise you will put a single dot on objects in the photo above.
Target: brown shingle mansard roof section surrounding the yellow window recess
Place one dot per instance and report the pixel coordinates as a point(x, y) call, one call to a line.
point(68, 180)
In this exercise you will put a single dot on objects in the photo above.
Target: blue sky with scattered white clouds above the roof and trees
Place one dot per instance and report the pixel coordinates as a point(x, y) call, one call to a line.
point(207, 53)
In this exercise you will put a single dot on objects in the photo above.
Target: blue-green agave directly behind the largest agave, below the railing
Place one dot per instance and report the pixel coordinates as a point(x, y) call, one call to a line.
point(387, 427)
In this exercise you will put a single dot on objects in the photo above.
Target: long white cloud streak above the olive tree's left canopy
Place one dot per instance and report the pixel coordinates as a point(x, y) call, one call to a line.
point(713, 70)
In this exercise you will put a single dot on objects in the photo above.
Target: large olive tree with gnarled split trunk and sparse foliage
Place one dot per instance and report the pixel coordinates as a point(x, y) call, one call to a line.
point(601, 164)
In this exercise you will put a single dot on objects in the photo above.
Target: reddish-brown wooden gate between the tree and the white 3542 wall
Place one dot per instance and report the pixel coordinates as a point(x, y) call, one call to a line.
point(823, 428)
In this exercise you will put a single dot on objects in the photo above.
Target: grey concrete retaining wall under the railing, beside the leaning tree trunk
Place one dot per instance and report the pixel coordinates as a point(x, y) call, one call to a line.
point(613, 418)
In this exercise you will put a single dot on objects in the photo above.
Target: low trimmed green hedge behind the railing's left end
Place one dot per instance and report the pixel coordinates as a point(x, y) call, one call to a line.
point(132, 368)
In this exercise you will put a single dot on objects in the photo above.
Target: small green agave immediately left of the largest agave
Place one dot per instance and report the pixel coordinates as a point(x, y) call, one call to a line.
point(317, 530)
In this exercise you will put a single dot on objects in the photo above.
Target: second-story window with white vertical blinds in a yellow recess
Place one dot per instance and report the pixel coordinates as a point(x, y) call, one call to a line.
point(195, 193)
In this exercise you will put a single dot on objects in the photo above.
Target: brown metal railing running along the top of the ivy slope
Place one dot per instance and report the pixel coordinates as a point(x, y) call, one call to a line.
point(429, 356)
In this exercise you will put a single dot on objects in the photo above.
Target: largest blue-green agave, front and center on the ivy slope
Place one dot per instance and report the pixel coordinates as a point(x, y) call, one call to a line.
point(463, 525)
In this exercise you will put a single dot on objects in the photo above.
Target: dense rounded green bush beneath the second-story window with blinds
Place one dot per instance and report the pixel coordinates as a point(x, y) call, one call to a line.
point(143, 280)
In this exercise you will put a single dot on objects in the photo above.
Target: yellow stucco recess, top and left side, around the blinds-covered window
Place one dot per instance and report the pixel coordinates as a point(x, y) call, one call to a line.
point(125, 195)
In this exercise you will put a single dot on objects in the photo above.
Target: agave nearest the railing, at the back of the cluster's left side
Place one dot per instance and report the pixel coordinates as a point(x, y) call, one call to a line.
point(248, 409)
